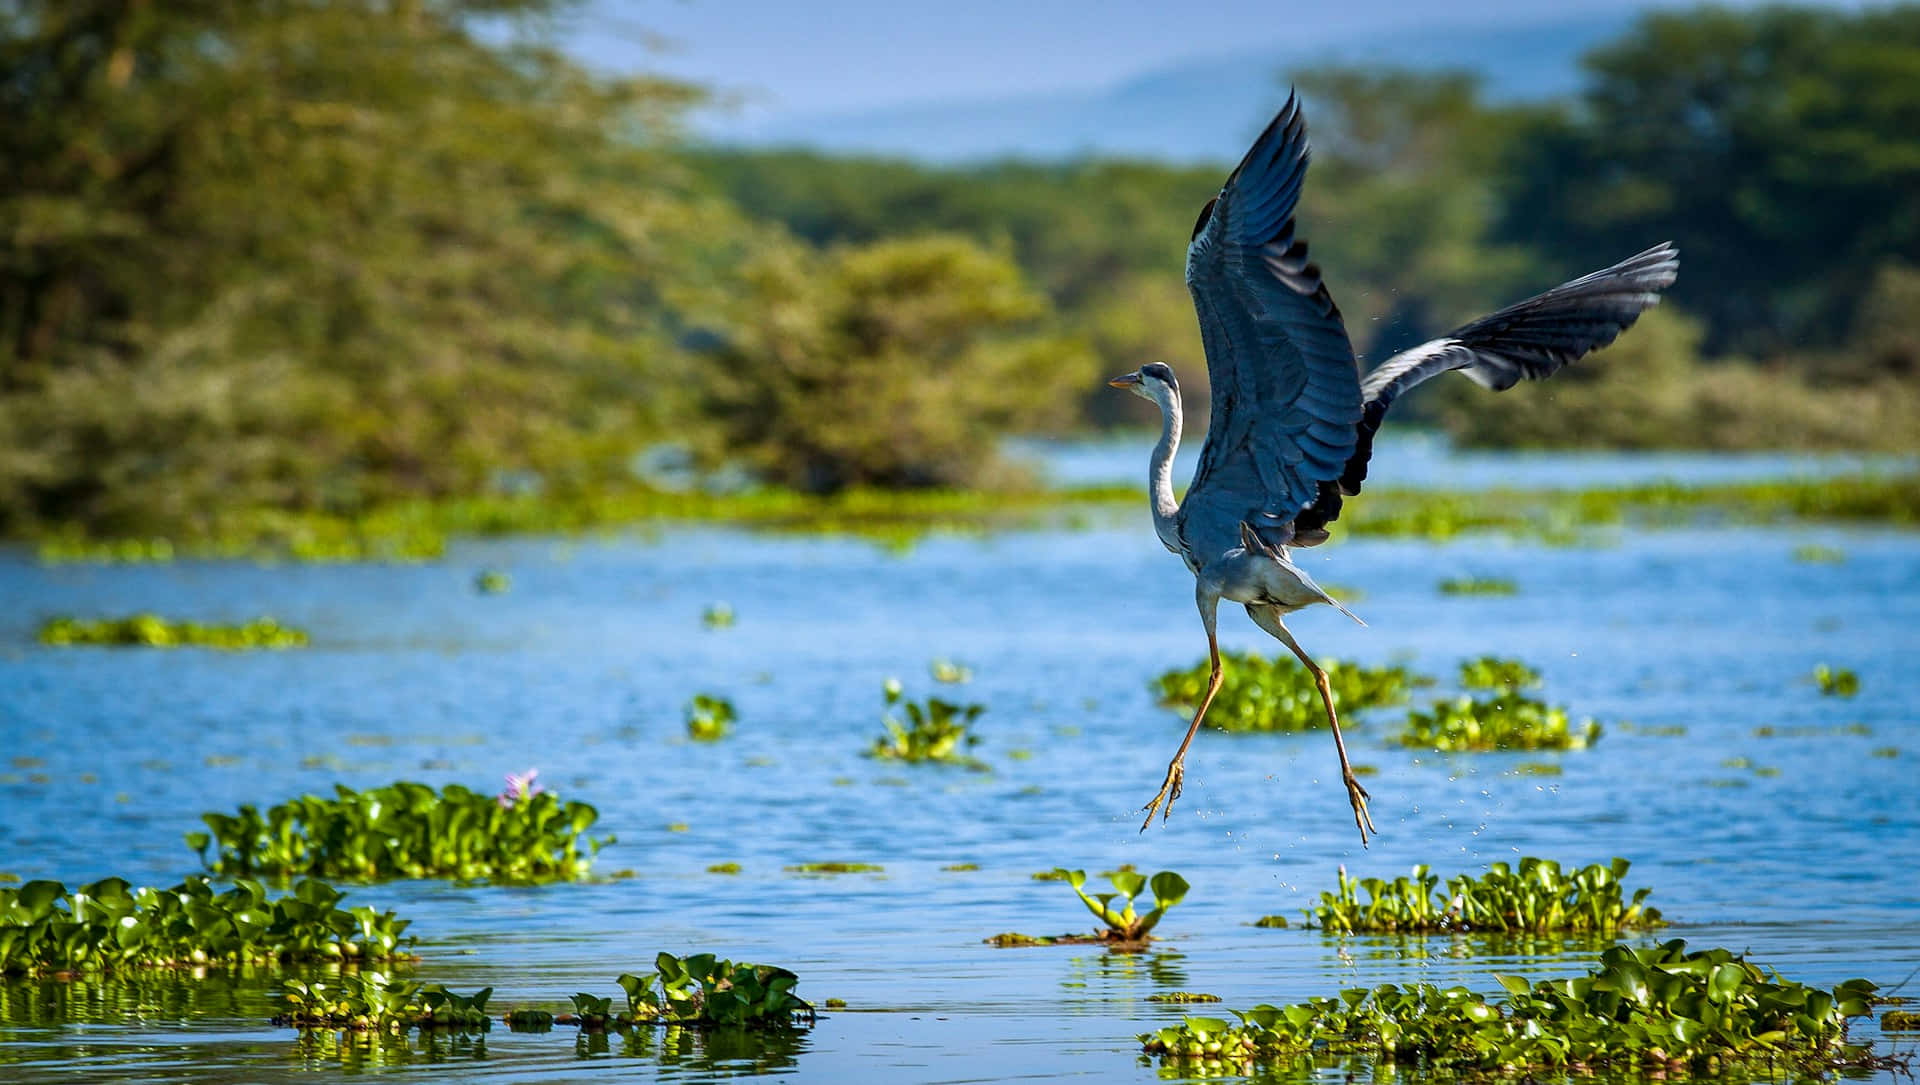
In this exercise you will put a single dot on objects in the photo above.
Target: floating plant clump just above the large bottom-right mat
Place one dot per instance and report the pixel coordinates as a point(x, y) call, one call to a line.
point(1539, 898)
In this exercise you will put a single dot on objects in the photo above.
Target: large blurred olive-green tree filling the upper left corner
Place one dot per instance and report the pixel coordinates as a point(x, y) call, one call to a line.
point(320, 256)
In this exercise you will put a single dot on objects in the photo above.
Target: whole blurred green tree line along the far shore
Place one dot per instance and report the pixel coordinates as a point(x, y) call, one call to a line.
point(320, 256)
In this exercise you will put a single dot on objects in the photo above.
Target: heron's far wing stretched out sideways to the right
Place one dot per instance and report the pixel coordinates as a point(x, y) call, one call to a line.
point(1527, 341)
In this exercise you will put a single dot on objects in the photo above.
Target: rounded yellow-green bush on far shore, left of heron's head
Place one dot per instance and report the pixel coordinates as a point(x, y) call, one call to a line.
point(882, 366)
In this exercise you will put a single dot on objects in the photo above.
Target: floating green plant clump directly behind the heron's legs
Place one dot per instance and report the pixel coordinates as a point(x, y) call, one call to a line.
point(1260, 694)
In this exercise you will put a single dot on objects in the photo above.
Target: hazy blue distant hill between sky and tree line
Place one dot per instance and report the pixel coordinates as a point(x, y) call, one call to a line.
point(1203, 110)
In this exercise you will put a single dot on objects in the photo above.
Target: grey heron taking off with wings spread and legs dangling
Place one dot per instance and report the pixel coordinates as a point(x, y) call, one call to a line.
point(1293, 420)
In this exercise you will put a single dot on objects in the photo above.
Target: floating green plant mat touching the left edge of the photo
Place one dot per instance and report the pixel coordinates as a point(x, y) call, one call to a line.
point(108, 927)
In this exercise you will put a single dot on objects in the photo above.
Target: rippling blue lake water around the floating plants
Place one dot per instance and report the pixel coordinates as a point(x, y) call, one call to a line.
point(585, 665)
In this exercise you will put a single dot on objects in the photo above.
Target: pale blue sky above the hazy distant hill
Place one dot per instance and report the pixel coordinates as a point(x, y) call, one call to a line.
point(832, 57)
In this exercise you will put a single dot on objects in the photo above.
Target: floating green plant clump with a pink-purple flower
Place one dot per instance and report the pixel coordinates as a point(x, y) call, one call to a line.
point(410, 831)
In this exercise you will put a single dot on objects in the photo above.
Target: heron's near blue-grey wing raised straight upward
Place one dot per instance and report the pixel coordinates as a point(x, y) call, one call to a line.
point(1284, 377)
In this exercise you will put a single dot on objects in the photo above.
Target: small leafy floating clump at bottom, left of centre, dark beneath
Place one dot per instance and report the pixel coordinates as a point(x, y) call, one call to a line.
point(702, 990)
